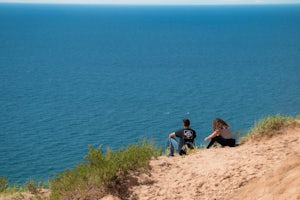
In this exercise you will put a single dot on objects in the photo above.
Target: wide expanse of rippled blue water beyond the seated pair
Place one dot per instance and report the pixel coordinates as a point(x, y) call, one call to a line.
point(78, 75)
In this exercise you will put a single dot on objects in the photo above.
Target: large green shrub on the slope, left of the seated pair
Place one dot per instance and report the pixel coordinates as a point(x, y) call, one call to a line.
point(102, 171)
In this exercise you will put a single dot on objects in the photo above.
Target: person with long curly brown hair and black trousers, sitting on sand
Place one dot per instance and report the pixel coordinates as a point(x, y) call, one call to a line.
point(221, 134)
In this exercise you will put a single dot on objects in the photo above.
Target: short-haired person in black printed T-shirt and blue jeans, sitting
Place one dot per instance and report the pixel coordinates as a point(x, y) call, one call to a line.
point(186, 139)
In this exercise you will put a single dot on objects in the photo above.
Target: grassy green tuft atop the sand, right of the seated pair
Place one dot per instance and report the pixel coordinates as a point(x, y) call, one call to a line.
point(268, 127)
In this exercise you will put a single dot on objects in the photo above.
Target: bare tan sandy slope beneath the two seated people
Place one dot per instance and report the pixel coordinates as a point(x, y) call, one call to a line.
point(268, 169)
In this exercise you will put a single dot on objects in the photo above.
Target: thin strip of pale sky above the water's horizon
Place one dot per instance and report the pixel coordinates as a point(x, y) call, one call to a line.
point(158, 2)
